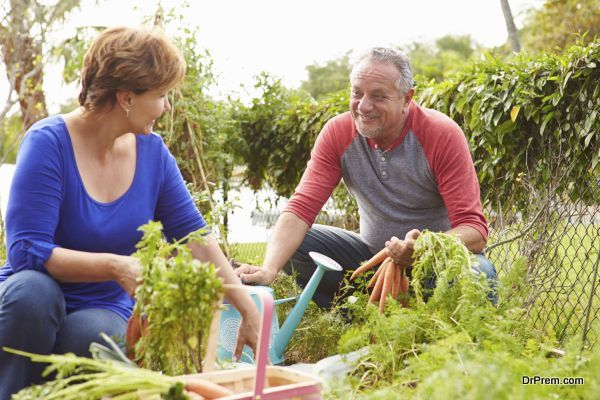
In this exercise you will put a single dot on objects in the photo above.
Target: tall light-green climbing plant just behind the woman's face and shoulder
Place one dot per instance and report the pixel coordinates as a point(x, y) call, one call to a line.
point(203, 134)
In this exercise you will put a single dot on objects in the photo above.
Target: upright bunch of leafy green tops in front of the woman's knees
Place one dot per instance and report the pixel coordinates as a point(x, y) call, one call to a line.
point(179, 296)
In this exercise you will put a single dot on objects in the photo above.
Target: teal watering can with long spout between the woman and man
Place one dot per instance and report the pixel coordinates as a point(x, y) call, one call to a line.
point(280, 337)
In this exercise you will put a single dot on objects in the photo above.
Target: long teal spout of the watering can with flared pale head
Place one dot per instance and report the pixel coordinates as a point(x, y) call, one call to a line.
point(282, 339)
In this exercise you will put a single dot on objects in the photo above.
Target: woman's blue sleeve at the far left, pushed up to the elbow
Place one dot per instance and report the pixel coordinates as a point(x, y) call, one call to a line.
point(34, 202)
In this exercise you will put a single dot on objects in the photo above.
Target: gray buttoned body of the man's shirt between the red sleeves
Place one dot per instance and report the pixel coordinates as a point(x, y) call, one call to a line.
point(395, 190)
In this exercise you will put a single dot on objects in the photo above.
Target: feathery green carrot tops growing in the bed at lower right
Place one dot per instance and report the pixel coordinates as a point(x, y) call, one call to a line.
point(457, 344)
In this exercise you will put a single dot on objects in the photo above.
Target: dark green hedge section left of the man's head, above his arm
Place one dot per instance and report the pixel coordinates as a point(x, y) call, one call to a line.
point(278, 130)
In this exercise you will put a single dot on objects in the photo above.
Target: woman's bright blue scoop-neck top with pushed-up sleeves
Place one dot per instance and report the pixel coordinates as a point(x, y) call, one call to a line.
point(49, 207)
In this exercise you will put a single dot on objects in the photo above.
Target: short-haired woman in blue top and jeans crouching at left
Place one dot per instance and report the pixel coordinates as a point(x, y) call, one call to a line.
point(83, 185)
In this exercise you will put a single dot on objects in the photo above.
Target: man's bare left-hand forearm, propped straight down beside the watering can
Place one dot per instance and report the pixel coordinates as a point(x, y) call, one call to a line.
point(287, 236)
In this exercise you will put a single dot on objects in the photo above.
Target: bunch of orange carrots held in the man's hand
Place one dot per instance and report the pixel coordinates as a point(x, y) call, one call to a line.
point(390, 278)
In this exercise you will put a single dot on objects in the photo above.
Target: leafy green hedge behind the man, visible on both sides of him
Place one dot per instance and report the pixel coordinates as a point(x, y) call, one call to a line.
point(527, 118)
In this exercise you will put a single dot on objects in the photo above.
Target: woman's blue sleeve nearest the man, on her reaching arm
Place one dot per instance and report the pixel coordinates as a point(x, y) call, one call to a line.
point(175, 207)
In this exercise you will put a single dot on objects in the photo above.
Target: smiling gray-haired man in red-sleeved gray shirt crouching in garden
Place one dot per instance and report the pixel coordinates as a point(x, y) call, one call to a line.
point(408, 167)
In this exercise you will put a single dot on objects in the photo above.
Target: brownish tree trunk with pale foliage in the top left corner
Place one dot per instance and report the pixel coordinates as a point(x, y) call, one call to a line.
point(23, 29)
